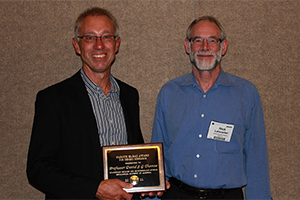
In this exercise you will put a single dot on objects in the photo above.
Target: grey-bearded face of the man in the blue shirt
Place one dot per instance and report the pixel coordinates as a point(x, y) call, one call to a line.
point(206, 55)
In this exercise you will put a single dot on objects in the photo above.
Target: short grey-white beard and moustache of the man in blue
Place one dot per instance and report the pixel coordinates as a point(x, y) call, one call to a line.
point(205, 65)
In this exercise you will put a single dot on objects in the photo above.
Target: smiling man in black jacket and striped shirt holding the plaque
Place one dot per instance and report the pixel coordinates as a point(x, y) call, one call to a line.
point(77, 116)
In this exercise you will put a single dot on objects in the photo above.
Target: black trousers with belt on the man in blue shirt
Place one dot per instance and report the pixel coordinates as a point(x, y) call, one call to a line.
point(179, 190)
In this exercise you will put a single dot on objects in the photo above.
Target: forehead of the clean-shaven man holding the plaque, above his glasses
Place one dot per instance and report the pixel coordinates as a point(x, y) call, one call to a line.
point(97, 24)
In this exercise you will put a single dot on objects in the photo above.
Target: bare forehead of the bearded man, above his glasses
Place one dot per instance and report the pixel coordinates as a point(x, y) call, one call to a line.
point(205, 29)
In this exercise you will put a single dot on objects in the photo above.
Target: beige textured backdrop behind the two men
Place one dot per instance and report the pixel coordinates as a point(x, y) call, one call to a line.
point(36, 52)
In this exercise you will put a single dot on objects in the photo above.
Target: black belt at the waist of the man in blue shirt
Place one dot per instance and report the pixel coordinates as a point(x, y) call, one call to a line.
point(199, 192)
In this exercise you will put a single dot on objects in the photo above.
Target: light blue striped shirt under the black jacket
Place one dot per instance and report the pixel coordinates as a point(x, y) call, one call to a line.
point(108, 112)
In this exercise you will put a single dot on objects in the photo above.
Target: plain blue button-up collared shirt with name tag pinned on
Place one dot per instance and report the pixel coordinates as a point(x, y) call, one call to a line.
point(182, 120)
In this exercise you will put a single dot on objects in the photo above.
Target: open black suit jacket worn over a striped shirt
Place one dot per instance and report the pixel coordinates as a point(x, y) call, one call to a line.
point(64, 157)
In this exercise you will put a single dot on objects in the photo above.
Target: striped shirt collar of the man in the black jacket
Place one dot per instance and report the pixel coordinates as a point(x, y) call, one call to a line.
point(95, 88)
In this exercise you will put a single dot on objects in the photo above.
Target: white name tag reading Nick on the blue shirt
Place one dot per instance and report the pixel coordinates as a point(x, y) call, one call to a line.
point(220, 131)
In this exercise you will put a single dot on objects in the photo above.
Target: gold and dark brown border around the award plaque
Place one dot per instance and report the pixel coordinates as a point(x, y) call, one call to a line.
point(161, 167)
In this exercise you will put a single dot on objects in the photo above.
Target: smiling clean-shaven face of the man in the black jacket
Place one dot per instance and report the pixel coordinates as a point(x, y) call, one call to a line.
point(97, 56)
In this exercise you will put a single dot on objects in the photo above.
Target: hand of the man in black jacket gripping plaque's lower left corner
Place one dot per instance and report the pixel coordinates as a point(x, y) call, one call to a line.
point(113, 189)
